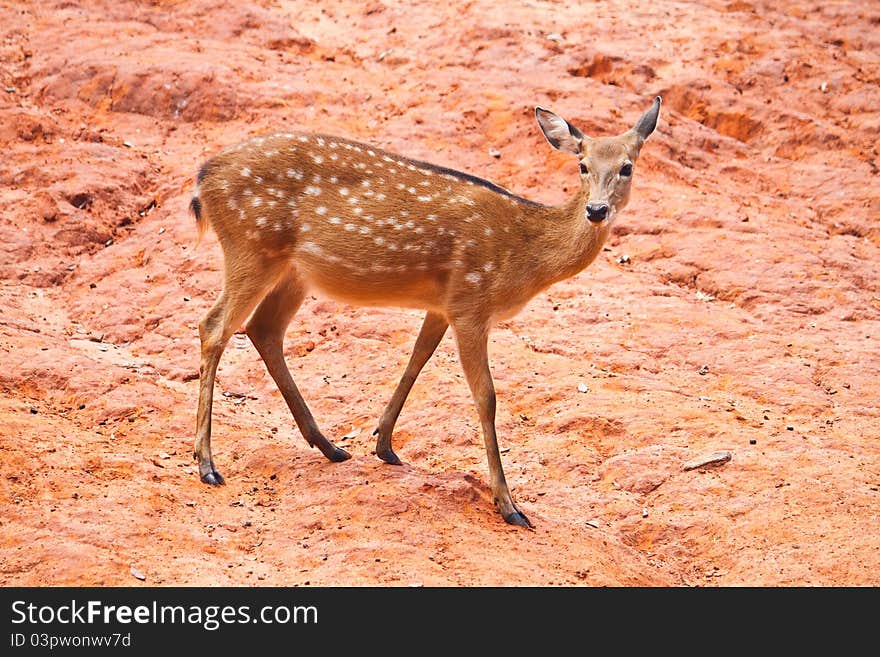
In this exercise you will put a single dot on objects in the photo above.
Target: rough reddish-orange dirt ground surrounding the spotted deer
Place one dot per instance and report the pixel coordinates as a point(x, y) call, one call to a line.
point(735, 307)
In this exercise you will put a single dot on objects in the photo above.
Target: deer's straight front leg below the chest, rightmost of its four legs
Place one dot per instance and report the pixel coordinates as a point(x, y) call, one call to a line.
point(473, 351)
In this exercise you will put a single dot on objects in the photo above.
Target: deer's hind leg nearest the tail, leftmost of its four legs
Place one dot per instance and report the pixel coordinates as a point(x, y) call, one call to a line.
point(243, 287)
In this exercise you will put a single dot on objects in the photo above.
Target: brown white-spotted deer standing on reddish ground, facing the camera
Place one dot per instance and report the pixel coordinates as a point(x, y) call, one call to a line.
point(296, 212)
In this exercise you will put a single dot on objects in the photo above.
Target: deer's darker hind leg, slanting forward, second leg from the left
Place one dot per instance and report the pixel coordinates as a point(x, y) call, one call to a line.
point(266, 330)
